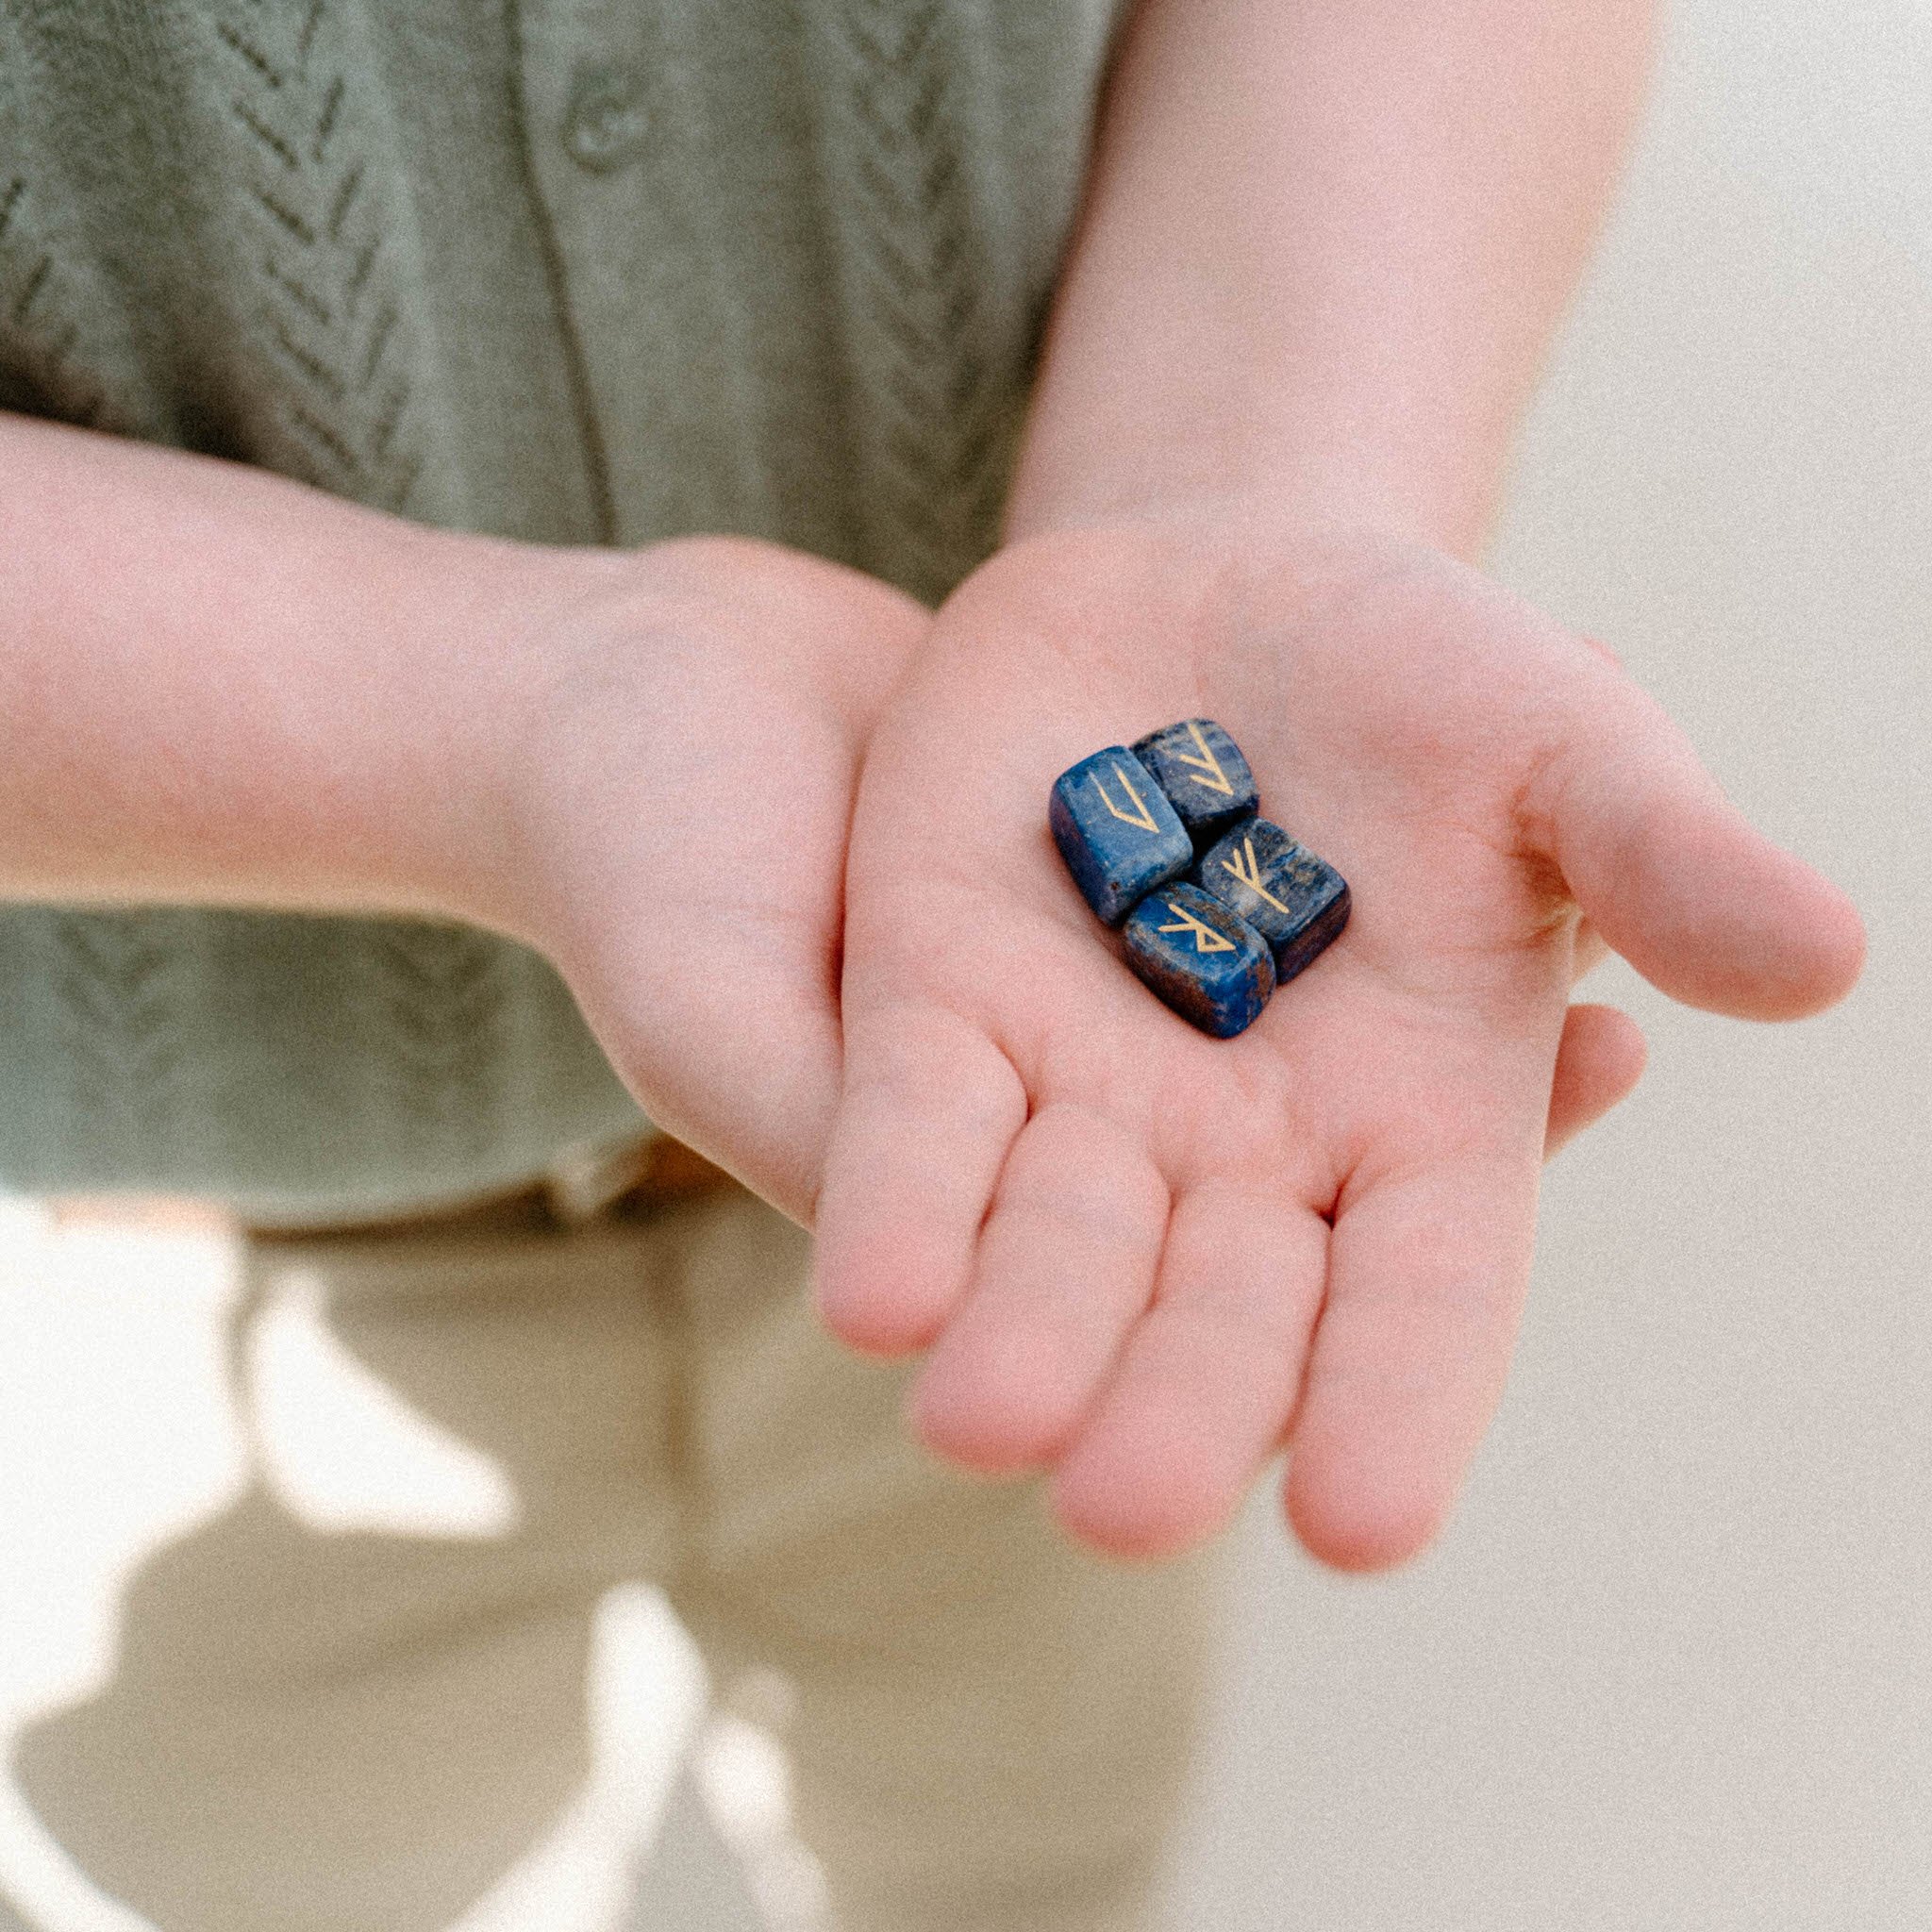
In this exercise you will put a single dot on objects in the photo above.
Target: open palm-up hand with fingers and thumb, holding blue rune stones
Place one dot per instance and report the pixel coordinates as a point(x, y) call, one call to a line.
point(1143, 1259)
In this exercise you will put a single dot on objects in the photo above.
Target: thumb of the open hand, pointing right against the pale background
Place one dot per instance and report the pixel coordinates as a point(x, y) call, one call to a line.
point(1676, 878)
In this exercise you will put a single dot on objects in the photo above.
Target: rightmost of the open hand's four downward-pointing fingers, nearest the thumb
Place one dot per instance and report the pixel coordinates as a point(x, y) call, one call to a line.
point(1427, 1280)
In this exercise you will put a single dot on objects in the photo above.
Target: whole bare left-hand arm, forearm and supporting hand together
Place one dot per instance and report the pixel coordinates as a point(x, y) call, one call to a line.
point(223, 689)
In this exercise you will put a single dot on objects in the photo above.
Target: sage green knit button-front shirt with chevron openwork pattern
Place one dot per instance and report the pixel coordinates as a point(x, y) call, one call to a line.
point(581, 271)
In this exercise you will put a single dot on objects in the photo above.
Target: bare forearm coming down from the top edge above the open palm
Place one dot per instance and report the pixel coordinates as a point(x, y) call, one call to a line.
point(1324, 248)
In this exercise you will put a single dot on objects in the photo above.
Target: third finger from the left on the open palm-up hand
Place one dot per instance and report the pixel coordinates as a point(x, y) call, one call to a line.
point(1205, 1388)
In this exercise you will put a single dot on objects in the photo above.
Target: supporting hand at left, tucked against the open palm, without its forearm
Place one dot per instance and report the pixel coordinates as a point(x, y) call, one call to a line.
point(683, 731)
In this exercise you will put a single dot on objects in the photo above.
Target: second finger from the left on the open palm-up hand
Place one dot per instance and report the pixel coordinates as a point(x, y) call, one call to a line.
point(1065, 1266)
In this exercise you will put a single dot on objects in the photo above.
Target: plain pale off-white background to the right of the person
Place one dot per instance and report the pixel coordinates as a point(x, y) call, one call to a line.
point(1672, 1666)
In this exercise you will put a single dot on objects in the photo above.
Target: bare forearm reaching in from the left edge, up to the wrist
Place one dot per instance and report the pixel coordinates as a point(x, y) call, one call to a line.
point(221, 687)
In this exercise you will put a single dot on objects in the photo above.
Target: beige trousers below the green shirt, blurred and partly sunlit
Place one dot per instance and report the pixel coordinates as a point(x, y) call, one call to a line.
point(356, 1732)
